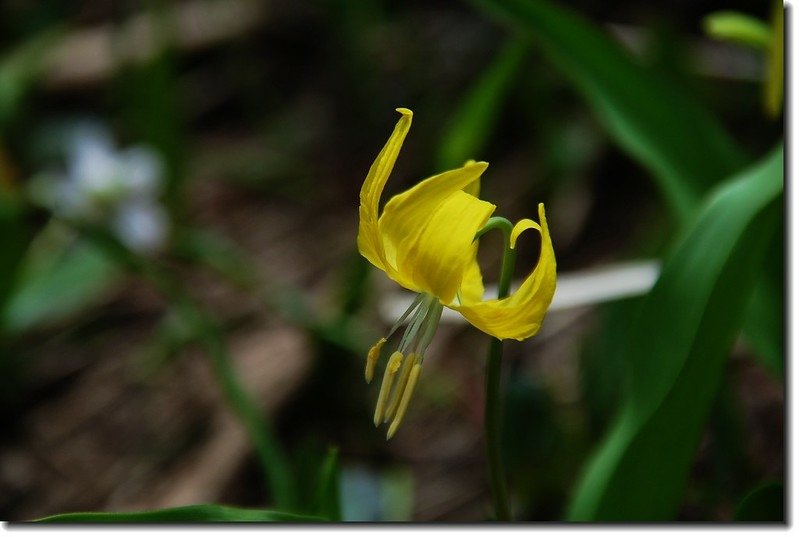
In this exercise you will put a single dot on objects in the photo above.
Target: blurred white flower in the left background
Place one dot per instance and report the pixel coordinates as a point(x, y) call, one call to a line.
point(119, 188)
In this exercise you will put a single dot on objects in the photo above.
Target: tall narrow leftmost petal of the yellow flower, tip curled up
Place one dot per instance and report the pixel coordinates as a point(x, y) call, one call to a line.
point(369, 241)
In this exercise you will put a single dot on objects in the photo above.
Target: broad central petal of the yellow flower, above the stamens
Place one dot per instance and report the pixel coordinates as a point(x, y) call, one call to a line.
point(436, 258)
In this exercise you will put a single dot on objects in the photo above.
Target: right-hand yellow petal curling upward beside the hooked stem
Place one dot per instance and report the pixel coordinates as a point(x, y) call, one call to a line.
point(519, 316)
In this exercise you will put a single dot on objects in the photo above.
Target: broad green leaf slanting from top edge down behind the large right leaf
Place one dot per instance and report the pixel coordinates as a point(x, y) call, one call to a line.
point(663, 128)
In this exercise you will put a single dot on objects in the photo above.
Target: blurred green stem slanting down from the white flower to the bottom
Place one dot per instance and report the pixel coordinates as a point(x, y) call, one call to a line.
point(208, 334)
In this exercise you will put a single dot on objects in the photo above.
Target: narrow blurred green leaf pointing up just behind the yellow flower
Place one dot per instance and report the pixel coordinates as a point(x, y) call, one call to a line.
point(474, 119)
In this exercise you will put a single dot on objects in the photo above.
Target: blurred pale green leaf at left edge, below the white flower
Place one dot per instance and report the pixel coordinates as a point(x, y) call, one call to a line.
point(60, 283)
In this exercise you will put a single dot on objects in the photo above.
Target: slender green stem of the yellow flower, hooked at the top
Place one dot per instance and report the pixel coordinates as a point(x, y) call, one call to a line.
point(493, 408)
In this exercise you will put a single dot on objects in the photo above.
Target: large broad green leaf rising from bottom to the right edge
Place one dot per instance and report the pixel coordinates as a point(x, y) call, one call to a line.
point(678, 350)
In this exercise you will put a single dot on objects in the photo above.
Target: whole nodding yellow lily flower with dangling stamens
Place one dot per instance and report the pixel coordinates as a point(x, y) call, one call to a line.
point(425, 241)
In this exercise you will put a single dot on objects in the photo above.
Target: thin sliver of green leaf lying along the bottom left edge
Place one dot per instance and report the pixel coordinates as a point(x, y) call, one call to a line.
point(189, 513)
